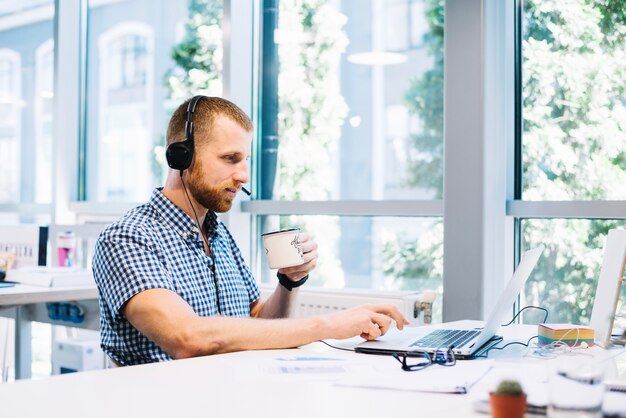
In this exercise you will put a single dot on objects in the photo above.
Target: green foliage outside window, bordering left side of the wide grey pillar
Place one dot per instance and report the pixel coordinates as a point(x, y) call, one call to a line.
point(418, 264)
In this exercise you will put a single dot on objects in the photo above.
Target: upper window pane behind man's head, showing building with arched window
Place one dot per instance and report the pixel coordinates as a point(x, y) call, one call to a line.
point(141, 66)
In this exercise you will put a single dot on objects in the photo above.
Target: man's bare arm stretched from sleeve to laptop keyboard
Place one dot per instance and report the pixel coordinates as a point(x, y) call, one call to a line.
point(165, 318)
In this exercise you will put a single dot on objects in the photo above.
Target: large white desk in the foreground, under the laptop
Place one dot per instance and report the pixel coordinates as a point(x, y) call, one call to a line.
point(242, 385)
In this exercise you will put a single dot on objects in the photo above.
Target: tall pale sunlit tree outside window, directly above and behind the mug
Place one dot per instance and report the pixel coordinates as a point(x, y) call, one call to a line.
point(311, 113)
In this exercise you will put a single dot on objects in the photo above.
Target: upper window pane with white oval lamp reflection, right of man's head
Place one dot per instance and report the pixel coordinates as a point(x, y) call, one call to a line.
point(355, 110)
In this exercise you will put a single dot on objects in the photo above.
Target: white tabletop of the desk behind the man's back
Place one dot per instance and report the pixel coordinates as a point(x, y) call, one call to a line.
point(21, 294)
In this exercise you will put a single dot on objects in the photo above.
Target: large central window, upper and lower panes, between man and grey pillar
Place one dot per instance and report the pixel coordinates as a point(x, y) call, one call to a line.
point(351, 116)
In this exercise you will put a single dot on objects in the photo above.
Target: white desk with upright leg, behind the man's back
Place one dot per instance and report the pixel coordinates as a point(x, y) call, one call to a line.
point(28, 303)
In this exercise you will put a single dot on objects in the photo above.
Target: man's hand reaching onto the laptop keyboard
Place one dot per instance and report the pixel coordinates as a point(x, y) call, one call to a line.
point(368, 321)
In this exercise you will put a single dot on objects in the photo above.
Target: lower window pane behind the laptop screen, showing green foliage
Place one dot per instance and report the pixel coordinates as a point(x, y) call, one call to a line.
point(564, 281)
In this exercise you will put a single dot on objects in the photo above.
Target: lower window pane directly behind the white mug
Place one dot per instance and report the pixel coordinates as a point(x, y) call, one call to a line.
point(380, 253)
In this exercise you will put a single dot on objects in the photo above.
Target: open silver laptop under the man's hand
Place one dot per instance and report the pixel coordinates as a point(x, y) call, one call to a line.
point(467, 343)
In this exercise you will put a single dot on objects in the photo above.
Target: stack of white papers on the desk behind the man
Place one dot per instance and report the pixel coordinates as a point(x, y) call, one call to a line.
point(51, 276)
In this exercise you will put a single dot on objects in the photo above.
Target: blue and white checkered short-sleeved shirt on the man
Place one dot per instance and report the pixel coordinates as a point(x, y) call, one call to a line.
point(158, 246)
